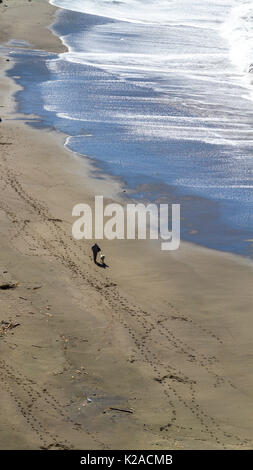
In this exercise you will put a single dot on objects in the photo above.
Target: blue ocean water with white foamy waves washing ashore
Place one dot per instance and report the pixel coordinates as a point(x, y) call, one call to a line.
point(158, 93)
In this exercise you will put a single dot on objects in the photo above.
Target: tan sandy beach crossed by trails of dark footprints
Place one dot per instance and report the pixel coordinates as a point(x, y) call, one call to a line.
point(154, 352)
